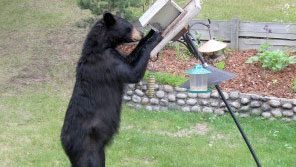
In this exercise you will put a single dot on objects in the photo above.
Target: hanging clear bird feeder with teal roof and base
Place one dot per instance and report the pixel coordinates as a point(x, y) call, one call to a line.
point(199, 79)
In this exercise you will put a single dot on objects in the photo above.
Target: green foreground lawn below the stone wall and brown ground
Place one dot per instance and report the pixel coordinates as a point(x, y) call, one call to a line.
point(30, 125)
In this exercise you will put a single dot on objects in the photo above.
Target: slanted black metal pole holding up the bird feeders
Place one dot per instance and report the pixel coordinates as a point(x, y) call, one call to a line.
point(192, 48)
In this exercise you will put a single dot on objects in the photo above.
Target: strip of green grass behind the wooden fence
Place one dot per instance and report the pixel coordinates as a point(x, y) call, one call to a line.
point(250, 10)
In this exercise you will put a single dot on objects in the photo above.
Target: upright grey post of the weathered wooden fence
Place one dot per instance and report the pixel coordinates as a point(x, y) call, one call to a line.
point(234, 42)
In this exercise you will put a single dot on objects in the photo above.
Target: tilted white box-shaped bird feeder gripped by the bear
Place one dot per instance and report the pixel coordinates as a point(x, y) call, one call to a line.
point(168, 16)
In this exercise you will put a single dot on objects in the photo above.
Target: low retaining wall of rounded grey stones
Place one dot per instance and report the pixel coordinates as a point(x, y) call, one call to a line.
point(167, 97)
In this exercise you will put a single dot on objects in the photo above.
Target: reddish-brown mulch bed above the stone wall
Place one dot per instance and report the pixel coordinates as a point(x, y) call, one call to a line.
point(250, 78)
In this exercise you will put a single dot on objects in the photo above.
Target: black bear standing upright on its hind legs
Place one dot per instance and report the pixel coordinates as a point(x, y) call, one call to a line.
point(93, 113)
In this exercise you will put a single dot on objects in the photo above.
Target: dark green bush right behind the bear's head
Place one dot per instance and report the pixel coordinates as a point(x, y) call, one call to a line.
point(127, 7)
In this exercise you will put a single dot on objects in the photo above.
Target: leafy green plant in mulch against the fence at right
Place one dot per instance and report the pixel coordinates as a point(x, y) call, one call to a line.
point(273, 60)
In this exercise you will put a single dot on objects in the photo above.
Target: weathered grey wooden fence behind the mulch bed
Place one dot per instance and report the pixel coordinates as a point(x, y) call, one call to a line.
point(242, 35)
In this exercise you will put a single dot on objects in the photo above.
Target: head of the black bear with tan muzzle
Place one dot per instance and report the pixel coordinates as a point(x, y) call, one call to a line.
point(120, 30)
